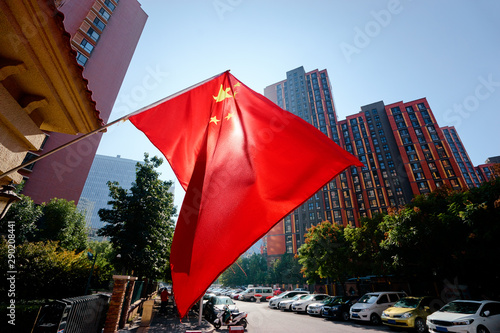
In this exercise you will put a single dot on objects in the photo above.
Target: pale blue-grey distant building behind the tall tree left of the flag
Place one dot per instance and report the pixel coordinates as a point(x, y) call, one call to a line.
point(95, 193)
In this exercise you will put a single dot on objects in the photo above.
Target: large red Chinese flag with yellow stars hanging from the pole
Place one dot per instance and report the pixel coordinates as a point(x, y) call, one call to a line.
point(244, 162)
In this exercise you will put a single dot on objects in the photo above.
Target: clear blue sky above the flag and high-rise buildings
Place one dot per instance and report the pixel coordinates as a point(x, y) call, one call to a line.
point(397, 50)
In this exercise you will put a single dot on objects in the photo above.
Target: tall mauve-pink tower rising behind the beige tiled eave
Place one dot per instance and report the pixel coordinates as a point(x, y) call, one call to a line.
point(104, 35)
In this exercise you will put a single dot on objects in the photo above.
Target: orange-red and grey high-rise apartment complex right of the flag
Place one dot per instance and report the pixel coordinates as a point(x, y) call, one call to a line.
point(403, 149)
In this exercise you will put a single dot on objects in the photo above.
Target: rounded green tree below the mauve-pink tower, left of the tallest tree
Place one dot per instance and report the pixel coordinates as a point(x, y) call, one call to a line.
point(61, 221)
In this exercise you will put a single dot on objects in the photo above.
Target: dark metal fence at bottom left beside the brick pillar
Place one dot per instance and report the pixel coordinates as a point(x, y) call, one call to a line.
point(84, 314)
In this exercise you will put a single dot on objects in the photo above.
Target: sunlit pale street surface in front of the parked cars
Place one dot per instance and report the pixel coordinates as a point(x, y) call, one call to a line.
point(262, 319)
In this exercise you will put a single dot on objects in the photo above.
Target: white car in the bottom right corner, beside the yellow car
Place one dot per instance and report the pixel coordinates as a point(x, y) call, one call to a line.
point(466, 316)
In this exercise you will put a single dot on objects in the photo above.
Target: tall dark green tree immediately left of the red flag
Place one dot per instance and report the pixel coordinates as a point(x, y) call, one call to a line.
point(140, 224)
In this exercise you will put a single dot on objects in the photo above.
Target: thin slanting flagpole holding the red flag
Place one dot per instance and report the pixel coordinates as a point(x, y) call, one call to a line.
point(101, 129)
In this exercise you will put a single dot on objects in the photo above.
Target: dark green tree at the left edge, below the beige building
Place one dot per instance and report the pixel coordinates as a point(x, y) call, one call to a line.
point(25, 213)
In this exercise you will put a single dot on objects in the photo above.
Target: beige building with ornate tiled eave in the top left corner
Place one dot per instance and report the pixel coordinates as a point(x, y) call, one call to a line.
point(41, 84)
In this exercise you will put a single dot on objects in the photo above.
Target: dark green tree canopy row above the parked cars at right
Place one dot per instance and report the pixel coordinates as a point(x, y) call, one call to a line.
point(442, 235)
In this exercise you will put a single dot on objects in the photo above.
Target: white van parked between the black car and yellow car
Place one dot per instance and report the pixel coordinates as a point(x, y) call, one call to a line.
point(371, 305)
